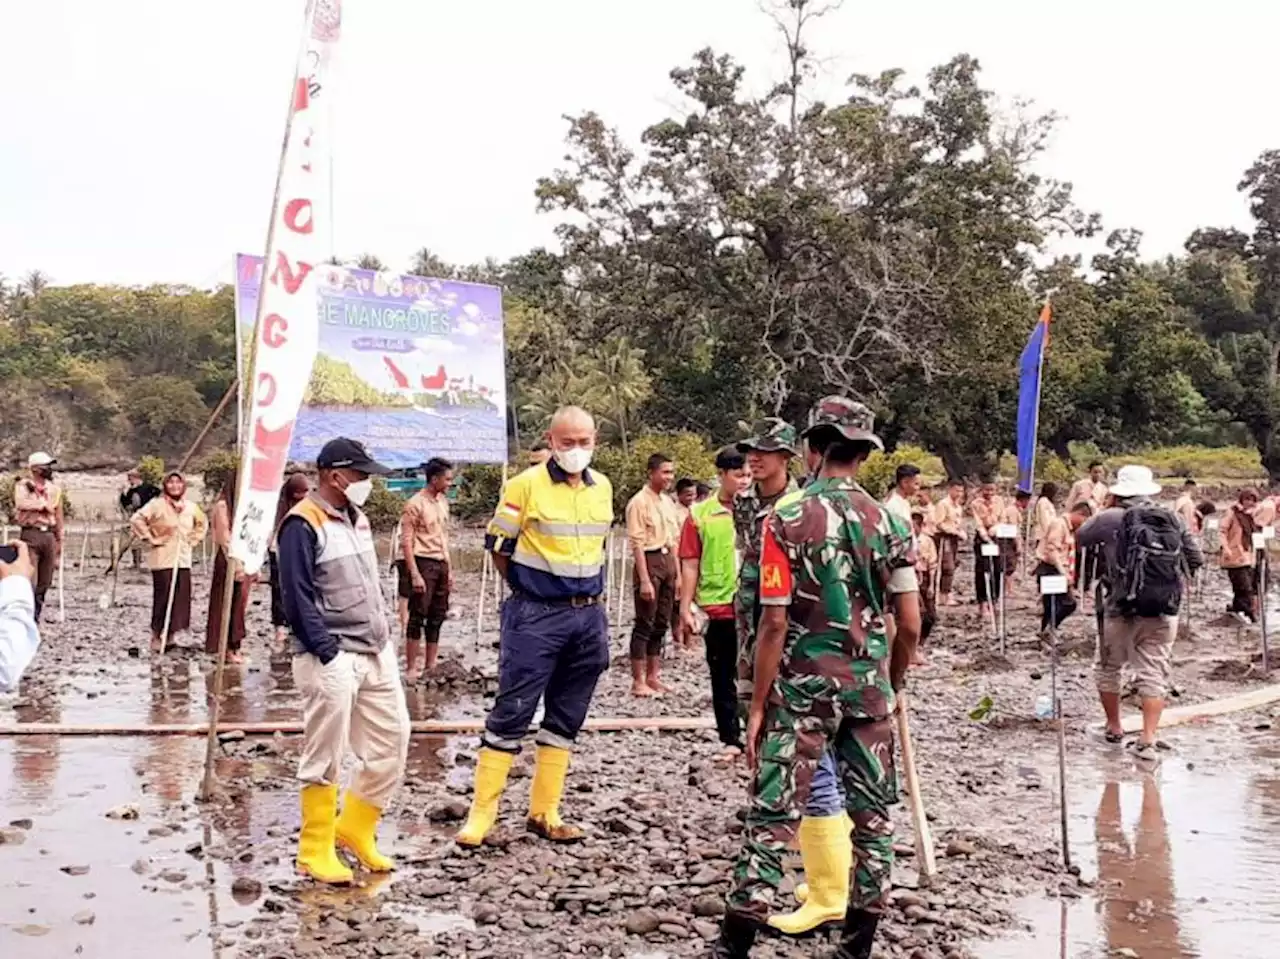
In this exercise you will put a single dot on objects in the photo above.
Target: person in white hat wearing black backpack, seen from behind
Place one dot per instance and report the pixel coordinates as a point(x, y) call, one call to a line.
point(1148, 554)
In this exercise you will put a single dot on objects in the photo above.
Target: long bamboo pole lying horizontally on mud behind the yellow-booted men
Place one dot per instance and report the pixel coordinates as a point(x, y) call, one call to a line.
point(423, 728)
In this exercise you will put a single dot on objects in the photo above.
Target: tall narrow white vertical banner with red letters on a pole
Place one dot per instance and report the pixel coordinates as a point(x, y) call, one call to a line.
point(286, 335)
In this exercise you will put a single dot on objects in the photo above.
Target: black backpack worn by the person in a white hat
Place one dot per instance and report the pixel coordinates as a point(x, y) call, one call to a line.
point(1150, 563)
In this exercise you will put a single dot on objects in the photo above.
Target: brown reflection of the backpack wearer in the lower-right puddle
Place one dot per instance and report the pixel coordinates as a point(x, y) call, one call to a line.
point(1137, 879)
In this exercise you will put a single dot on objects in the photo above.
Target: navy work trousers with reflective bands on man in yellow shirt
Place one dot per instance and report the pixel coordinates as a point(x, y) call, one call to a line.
point(551, 651)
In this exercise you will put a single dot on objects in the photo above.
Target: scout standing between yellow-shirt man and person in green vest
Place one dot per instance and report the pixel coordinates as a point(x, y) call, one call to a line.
point(653, 532)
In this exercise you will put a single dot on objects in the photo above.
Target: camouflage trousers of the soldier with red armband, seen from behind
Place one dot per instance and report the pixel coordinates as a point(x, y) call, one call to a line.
point(793, 747)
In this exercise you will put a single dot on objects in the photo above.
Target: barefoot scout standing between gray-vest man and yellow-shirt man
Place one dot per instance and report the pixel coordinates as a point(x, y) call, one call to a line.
point(426, 550)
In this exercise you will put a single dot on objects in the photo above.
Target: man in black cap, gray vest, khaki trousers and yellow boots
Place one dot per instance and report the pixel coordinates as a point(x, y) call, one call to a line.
point(344, 665)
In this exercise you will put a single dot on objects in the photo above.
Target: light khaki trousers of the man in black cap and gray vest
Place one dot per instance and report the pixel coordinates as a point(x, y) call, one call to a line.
point(355, 701)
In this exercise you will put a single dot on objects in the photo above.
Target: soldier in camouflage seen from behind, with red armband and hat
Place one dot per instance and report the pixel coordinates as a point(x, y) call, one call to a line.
point(825, 677)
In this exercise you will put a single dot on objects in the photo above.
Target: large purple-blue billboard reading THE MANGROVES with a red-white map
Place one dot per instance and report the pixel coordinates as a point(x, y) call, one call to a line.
point(412, 367)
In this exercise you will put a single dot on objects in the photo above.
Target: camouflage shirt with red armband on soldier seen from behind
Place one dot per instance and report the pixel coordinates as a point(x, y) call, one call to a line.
point(829, 558)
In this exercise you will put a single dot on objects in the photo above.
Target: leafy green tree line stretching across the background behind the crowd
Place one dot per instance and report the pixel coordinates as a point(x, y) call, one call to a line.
point(752, 253)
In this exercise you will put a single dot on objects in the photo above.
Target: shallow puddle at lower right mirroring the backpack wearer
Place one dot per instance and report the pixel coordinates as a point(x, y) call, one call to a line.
point(1185, 861)
